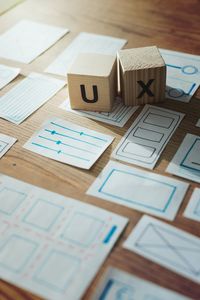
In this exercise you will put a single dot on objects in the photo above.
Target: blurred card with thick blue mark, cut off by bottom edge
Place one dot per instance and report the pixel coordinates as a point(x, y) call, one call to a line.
point(119, 285)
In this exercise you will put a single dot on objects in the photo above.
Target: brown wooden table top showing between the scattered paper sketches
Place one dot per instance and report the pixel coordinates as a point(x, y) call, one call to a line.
point(168, 24)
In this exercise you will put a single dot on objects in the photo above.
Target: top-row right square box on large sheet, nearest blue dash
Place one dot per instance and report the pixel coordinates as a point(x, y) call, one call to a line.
point(82, 229)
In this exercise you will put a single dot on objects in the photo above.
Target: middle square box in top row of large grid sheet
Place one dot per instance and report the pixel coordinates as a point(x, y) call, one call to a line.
point(43, 214)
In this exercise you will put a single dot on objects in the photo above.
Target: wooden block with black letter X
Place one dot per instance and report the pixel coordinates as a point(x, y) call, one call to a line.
point(142, 75)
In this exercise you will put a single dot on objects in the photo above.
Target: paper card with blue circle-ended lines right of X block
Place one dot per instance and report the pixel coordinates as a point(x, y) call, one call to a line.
point(183, 74)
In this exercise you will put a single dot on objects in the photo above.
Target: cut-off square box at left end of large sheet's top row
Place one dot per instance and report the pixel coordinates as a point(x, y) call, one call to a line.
point(10, 200)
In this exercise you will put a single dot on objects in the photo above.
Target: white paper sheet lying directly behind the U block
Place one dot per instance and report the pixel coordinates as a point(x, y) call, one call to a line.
point(84, 43)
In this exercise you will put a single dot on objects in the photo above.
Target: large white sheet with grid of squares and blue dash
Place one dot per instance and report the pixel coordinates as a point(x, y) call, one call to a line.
point(55, 254)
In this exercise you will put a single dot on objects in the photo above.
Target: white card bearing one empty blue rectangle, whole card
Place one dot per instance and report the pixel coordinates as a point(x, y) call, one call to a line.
point(141, 190)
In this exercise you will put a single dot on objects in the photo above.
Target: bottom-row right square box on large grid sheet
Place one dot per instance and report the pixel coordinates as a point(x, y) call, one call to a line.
point(57, 270)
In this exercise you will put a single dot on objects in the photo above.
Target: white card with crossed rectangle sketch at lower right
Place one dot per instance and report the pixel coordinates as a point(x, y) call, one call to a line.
point(166, 245)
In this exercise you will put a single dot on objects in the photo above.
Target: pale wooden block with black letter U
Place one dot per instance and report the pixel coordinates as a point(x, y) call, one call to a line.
point(92, 82)
